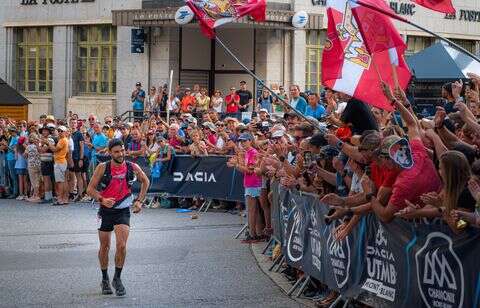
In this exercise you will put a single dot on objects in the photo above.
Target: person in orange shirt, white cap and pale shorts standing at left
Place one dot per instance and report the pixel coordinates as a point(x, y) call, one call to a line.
point(60, 152)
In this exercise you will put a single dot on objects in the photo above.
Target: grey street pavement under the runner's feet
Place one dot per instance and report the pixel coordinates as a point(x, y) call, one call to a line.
point(48, 257)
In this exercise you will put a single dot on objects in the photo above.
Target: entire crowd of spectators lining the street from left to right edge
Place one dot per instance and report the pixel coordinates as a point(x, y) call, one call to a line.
point(358, 159)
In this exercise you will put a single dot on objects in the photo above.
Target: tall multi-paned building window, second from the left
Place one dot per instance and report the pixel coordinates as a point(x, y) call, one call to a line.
point(97, 59)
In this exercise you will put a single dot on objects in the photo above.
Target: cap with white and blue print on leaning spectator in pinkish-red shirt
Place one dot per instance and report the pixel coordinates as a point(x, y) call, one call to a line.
point(397, 149)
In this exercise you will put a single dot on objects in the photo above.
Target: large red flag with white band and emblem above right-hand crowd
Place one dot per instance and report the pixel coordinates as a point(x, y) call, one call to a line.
point(348, 67)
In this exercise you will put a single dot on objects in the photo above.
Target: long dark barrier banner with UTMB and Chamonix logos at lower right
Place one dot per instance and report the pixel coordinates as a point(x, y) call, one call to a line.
point(400, 264)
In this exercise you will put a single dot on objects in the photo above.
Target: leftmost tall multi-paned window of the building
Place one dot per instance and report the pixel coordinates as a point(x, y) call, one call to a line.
point(34, 59)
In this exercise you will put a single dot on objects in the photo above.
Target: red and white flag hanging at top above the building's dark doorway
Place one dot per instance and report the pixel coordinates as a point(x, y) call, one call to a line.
point(214, 13)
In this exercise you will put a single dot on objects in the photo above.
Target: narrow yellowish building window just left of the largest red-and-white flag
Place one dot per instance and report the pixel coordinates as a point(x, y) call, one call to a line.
point(315, 44)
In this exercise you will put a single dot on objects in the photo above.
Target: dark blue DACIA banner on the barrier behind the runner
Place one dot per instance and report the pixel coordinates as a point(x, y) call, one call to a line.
point(207, 177)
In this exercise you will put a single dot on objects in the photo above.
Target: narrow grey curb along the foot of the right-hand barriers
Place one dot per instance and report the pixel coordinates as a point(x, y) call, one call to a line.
point(264, 264)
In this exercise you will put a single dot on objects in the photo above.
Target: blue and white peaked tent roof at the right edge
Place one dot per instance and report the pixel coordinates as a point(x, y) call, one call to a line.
point(441, 63)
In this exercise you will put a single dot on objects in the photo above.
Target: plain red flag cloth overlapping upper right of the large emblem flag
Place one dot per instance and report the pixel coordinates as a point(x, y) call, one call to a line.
point(377, 30)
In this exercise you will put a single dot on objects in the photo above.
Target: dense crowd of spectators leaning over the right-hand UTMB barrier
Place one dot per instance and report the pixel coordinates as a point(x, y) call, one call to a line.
point(360, 160)
